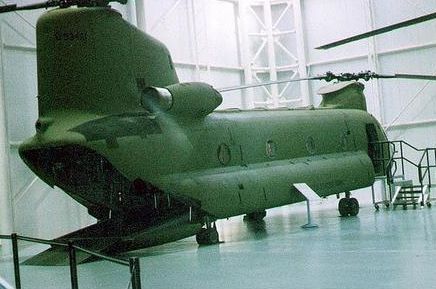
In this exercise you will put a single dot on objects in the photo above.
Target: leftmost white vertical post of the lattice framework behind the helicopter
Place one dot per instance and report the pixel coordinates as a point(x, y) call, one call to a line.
point(247, 94)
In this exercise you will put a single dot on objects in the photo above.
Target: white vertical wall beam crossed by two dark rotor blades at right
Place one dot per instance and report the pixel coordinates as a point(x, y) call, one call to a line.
point(376, 102)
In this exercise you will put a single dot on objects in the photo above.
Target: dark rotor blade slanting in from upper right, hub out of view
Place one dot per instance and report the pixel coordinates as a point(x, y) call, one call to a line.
point(379, 31)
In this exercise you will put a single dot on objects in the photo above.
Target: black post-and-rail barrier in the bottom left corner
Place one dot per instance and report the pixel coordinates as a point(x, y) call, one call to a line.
point(132, 262)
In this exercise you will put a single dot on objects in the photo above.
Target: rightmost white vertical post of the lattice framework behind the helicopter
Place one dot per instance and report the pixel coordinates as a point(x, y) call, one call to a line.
point(301, 52)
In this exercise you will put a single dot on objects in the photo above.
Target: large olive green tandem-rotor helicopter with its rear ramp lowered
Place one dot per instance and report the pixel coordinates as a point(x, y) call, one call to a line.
point(150, 158)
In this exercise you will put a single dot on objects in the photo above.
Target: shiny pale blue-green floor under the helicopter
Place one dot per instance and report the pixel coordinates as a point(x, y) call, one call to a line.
point(384, 249)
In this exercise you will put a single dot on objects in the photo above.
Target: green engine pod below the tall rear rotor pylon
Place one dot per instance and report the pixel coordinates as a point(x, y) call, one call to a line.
point(191, 99)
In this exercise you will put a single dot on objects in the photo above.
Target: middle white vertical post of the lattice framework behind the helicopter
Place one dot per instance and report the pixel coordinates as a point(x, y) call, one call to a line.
point(271, 51)
